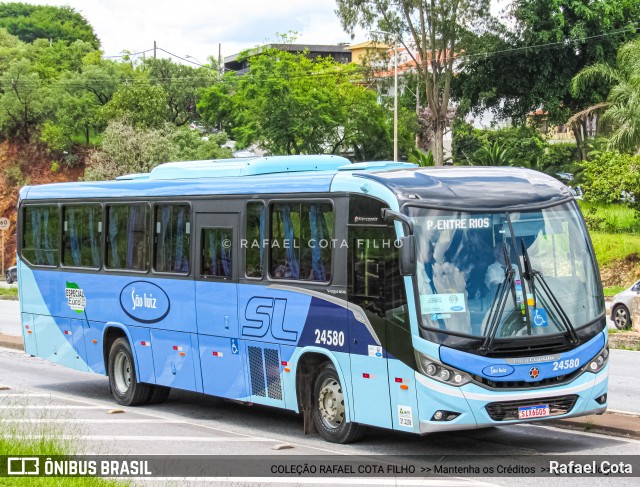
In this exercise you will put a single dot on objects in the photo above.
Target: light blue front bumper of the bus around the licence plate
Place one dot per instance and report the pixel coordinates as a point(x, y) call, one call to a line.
point(470, 402)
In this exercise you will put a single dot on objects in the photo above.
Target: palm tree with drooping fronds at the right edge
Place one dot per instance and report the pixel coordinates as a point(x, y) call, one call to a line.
point(622, 109)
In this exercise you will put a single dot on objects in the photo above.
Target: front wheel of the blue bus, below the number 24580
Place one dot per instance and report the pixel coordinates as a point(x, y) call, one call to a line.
point(329, 409)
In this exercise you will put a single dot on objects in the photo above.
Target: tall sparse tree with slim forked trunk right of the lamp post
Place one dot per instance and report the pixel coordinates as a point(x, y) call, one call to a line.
point(436, 29)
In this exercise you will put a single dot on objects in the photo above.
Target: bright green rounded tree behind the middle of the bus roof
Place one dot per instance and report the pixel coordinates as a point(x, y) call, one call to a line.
point(291, 104)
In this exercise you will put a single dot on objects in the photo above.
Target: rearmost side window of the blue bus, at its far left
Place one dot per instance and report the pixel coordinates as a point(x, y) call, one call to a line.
point(41, 235)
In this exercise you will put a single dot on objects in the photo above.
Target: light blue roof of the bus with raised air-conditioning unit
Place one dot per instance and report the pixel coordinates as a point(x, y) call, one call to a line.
point(451, 187)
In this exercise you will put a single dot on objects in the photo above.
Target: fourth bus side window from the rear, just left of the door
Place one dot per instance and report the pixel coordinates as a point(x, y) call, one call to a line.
point(172, 239)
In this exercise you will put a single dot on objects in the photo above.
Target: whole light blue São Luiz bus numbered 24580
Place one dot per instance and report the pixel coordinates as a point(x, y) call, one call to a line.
point(382, 293)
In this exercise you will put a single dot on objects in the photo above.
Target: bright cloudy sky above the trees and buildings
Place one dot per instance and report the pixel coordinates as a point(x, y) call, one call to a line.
point(195, 27)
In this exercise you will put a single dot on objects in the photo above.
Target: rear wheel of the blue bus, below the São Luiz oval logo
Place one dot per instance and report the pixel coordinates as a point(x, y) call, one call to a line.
point(123, 381)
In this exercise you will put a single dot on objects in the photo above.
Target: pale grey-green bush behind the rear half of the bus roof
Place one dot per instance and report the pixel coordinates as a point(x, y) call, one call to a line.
point(127, 149)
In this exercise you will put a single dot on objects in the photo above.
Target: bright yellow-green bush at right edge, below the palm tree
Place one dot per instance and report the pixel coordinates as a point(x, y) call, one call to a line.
point(610, 177)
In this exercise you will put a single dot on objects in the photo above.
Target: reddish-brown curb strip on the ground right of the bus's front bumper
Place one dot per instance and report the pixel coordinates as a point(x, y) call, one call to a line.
point(611, 423)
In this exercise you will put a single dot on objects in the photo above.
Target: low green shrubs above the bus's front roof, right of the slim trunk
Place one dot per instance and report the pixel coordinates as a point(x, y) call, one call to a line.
point(524, 145)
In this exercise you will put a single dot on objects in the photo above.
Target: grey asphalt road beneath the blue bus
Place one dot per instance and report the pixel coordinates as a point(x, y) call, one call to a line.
point(75, 406)
